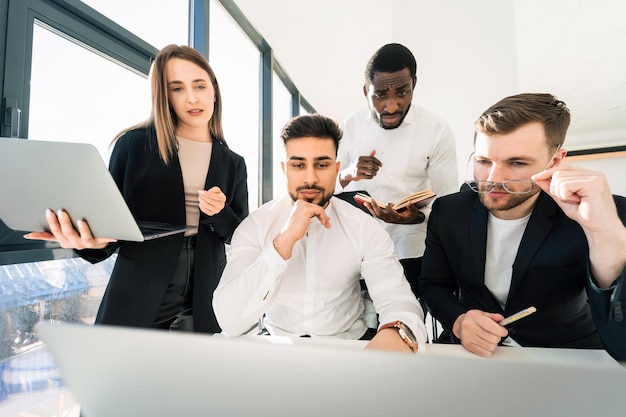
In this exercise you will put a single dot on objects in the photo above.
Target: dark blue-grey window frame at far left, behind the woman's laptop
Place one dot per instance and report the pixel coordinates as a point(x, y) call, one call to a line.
point(80, 23)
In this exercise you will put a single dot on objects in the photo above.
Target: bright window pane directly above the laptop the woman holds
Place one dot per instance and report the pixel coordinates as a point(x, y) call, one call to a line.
point(89, 101)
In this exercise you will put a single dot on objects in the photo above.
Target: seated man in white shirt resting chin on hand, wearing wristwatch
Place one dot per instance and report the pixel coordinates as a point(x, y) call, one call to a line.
point(298, 259)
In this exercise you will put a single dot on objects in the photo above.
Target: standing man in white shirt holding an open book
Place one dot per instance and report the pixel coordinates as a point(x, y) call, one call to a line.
point(394, 148)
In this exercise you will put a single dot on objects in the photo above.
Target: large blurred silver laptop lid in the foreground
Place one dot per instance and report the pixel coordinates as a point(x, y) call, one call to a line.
point(115, 371)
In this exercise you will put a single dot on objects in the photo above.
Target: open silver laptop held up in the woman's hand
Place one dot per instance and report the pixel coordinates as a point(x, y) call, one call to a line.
point(37, 175)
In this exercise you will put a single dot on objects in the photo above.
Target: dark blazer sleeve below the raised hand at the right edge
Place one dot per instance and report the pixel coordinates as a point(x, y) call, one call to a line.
point(609, 313)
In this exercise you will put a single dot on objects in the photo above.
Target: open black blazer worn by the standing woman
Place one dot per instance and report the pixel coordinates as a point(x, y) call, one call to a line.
point(154, 192)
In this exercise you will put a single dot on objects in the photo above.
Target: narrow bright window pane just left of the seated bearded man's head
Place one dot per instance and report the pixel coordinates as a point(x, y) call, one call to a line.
point(281, 113)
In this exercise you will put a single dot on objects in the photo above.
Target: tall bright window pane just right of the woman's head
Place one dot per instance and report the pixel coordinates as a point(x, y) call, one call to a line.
point(235, 60)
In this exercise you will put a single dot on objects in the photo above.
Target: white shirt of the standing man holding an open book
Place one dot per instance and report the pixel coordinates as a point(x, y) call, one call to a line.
point(419, 154)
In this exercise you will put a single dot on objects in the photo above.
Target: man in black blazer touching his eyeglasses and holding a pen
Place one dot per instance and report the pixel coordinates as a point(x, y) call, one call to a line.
point(530, 232)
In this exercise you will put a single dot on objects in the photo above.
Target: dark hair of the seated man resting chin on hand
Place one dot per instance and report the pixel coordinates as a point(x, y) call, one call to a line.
point(312, 125)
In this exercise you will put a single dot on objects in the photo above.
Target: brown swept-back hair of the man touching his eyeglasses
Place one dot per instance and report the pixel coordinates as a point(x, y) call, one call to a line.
point(515, 111)
